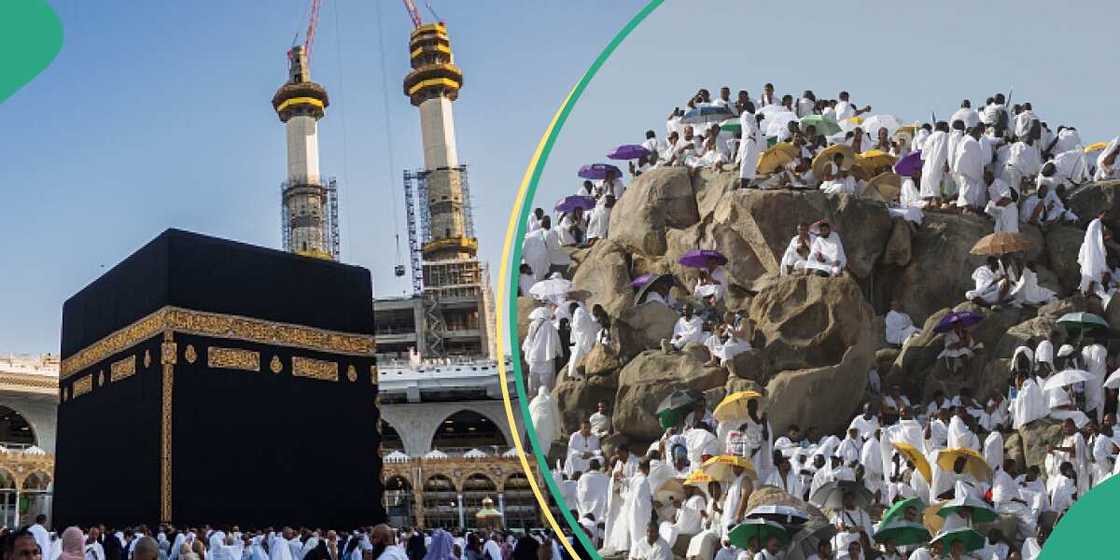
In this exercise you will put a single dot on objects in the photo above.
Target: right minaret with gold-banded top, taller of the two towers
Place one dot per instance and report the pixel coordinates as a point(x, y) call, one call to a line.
point(432, 87)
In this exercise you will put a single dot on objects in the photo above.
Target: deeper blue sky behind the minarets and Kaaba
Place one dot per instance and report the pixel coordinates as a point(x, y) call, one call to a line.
point(157, 115)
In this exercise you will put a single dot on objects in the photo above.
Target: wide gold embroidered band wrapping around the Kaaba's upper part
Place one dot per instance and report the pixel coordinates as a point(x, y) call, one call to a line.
point(221, 326)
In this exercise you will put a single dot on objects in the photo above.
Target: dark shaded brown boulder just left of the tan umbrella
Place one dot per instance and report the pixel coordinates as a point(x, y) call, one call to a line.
point(941, 268)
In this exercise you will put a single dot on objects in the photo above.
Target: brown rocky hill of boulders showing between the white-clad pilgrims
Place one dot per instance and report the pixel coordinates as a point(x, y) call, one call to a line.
point(816, 339)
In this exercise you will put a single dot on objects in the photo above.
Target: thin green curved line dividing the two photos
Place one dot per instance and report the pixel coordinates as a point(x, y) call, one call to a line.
point(512, 279)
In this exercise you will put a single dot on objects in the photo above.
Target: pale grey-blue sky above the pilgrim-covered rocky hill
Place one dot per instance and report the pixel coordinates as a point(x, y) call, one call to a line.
point(904, 59)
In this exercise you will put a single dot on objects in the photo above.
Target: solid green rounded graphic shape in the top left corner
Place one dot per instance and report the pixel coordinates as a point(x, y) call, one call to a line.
point(32, 35)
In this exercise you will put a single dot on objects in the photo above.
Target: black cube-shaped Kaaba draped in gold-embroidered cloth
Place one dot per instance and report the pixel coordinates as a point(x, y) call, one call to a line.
point(208, 381)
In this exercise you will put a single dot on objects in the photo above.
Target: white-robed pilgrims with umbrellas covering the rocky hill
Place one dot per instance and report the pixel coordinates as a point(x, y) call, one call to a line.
point(909, 479)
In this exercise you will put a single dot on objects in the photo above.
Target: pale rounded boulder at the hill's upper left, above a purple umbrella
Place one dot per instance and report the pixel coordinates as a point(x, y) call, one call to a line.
point(656, 202)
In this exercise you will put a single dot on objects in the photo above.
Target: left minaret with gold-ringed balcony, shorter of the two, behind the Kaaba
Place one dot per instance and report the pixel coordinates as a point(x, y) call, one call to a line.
point(301, 104)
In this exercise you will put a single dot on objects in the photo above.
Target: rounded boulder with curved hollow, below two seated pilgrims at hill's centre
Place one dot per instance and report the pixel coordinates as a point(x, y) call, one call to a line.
point(810, 322)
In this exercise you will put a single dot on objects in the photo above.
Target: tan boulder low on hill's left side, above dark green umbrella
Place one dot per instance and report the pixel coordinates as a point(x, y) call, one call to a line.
point(651, 377)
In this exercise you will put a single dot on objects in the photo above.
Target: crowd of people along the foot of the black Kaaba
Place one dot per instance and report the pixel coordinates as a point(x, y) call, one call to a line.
point(380, 543)
